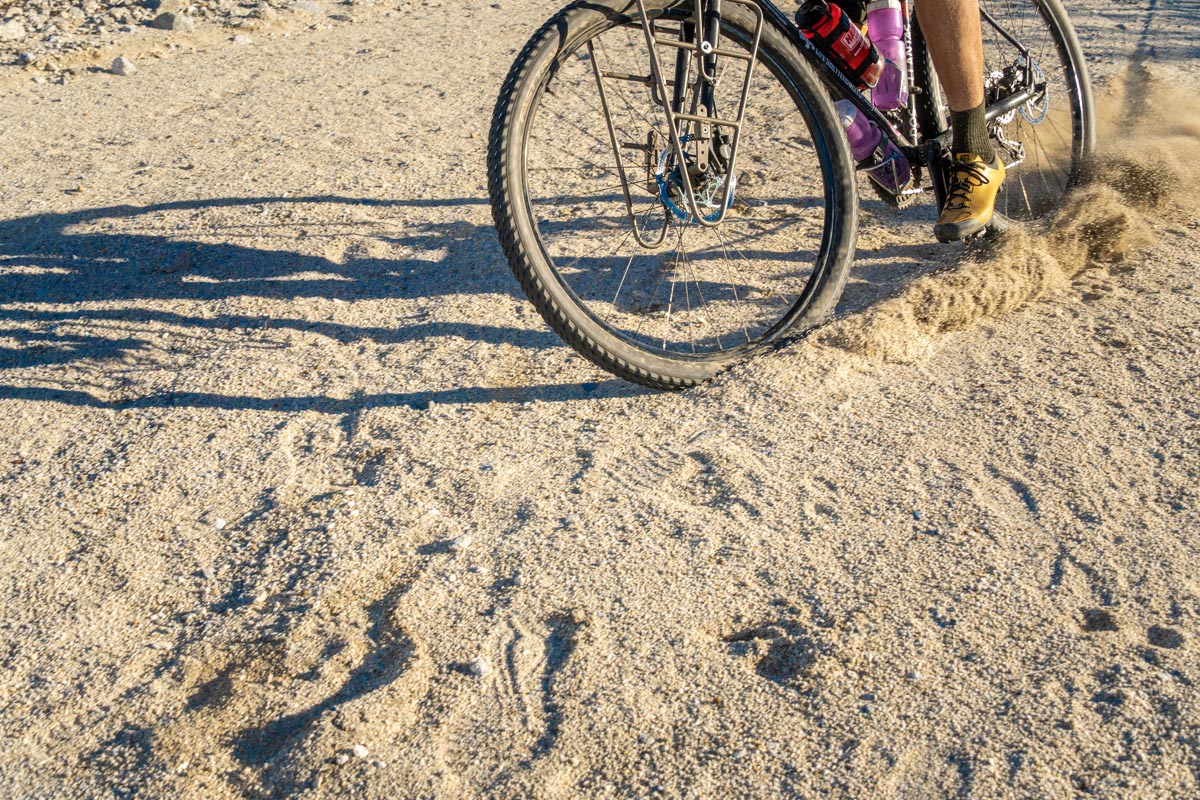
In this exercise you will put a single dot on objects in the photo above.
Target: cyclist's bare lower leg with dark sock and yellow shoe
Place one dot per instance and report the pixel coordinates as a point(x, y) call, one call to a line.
point(956, 44)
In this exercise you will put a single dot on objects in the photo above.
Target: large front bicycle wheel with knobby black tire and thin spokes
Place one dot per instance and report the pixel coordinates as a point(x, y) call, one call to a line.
point(688, 300)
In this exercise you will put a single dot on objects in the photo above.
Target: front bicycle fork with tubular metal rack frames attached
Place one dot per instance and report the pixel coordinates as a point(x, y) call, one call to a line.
point(694, 129)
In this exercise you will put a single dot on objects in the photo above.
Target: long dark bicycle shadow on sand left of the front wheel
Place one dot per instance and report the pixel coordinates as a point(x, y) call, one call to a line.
point(106, 269)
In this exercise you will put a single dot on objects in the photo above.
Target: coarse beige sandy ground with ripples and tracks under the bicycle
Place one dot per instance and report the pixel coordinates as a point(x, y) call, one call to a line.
point(286, 452)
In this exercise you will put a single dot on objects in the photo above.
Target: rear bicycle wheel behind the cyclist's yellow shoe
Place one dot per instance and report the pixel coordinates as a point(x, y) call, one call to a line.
point(1046, 142)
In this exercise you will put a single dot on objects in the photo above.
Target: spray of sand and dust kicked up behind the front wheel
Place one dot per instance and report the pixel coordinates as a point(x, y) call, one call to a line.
point(1148, 161)
